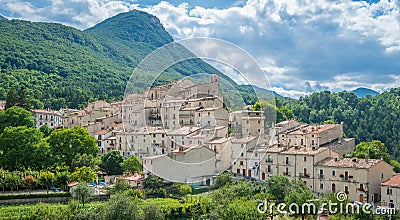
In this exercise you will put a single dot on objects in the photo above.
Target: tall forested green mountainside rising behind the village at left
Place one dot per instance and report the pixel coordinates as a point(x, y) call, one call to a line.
point(60, 66)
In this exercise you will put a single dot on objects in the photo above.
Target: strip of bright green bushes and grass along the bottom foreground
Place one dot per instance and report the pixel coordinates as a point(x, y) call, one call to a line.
point(238, 200)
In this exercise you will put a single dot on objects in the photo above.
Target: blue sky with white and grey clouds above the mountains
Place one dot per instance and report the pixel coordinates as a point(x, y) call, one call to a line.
point(302, 45)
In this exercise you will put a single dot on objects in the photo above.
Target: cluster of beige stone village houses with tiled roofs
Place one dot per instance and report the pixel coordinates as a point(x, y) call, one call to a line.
point(183, 132)
